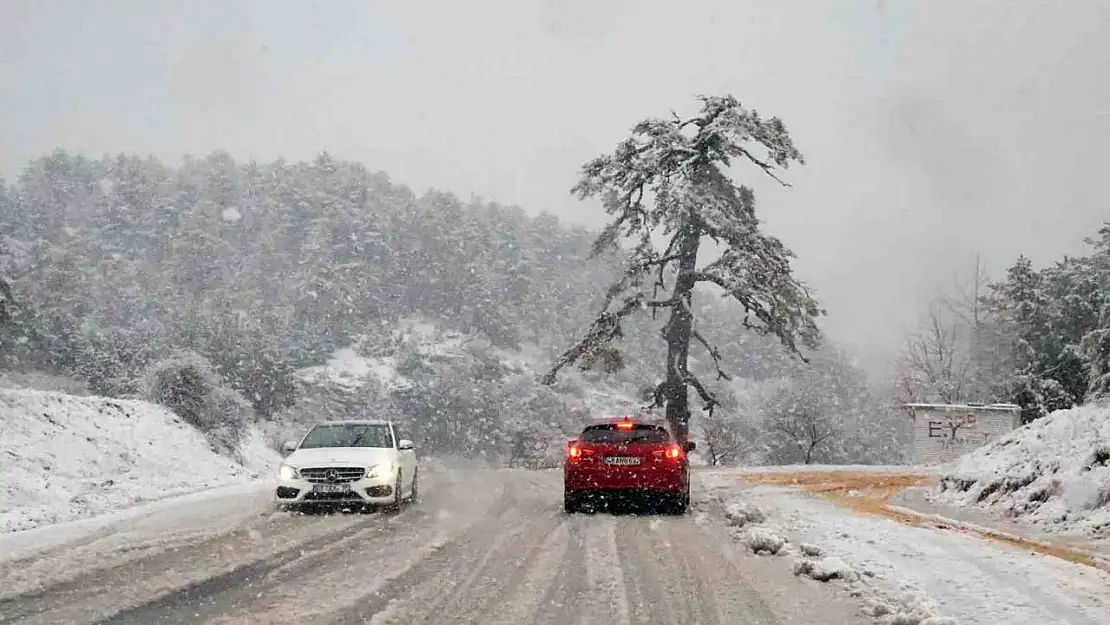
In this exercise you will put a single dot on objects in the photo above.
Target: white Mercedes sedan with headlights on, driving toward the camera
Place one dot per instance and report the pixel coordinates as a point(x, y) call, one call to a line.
point(349, 462)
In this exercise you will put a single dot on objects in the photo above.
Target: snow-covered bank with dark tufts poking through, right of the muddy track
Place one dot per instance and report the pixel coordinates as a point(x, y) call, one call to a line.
point(1054, 473)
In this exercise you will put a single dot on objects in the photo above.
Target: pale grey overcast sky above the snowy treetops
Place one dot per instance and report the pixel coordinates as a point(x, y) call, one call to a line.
point(933, 130)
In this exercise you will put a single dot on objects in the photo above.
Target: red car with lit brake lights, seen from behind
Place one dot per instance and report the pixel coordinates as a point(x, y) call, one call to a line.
point(624, 458)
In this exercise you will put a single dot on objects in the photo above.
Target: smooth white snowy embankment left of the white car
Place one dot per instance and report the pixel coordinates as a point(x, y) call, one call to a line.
point(65, 458)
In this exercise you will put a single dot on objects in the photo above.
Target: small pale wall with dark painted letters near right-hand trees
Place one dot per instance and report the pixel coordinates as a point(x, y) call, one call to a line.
point(943, 434)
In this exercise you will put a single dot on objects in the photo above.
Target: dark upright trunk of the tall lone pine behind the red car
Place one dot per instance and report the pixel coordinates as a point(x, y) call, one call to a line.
point(679, 332)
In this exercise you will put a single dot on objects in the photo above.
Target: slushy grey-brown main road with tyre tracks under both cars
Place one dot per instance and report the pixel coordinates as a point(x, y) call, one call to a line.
point(481, 547)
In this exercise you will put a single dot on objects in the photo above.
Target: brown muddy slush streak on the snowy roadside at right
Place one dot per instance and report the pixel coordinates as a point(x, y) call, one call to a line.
point(871, 493)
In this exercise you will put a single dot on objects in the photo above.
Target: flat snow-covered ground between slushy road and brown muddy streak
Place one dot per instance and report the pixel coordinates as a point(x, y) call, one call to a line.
point(909, 574)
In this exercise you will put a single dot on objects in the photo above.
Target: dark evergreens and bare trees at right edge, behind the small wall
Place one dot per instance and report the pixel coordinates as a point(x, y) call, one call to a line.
point(1038, 338)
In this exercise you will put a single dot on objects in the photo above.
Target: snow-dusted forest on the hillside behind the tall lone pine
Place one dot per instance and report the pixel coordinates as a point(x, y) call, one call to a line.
point(133, 278)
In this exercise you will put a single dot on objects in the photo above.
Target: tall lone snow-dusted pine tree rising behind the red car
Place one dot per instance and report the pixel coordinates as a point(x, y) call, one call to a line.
point(669, 182)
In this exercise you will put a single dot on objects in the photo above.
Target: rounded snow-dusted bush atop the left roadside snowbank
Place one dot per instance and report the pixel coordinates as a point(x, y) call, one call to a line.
point(189, 386)
